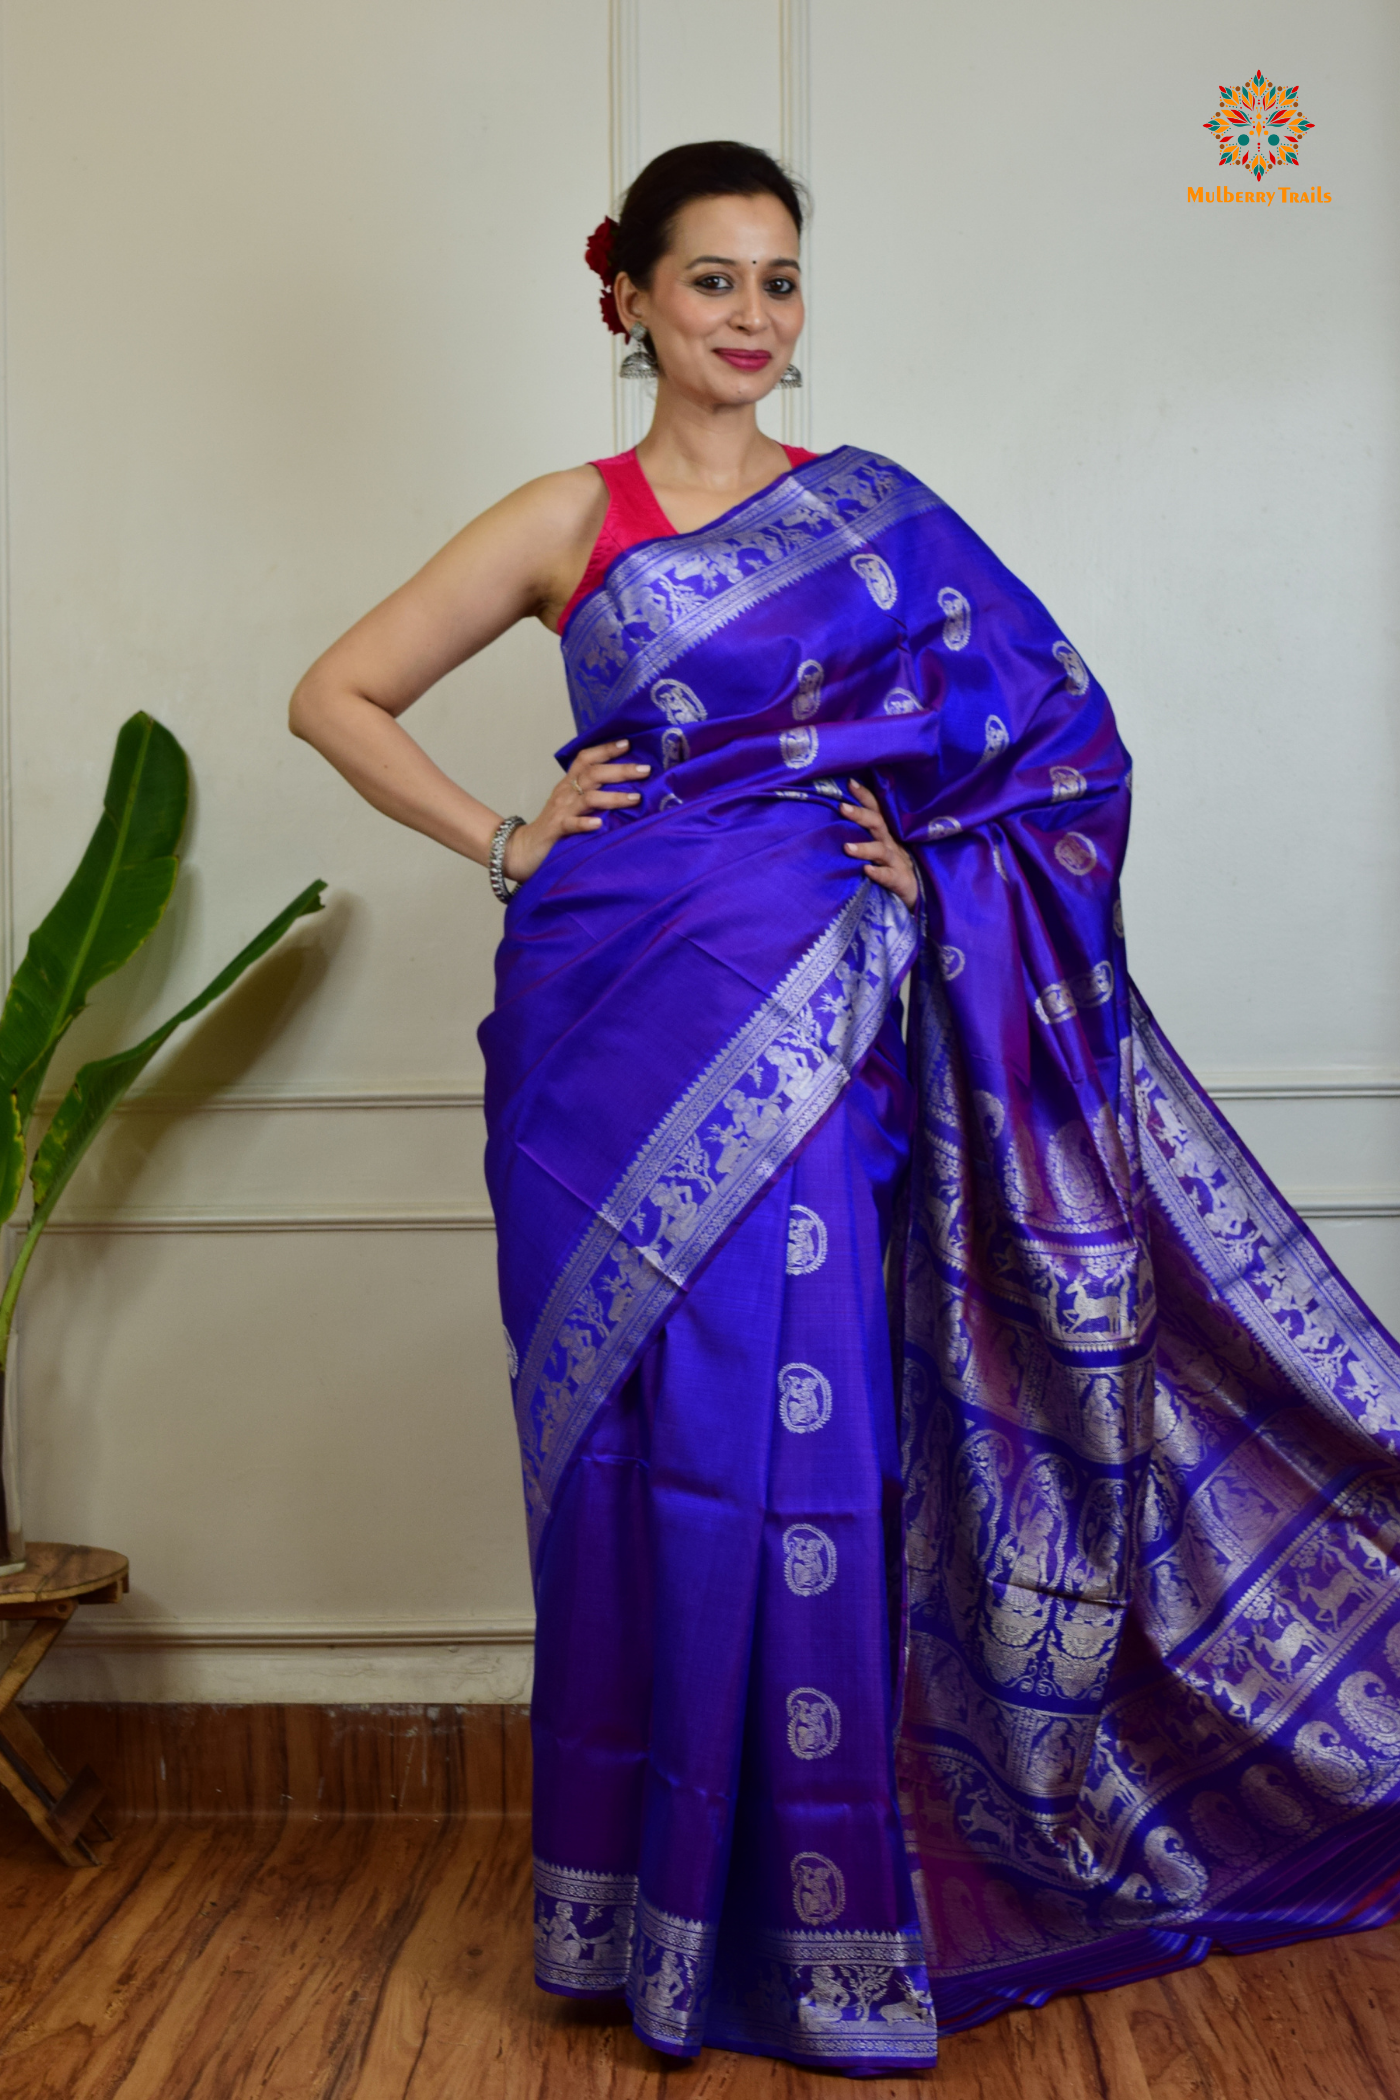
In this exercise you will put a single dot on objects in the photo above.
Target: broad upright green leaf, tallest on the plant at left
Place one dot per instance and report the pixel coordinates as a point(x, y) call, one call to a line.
point(108, 910)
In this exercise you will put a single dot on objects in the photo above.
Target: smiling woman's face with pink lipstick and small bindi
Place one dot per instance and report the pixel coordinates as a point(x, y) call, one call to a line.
point(725, 301)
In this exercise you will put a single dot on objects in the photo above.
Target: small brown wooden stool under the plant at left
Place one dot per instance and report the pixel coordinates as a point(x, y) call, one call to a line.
point(54, 1582)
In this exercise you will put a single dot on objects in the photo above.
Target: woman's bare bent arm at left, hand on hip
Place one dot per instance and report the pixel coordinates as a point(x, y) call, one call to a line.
point(519, 560)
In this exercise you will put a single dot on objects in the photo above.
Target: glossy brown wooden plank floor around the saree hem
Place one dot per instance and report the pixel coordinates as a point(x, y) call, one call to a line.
point(387, 1958)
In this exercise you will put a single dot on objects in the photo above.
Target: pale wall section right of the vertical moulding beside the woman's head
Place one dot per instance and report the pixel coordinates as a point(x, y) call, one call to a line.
point(1179, 425)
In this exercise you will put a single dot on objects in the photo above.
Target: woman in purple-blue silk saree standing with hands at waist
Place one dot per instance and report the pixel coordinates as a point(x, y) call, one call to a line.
point(874, 1700)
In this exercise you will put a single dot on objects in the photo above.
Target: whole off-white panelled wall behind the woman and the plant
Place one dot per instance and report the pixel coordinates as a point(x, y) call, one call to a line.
point(293, 289)
